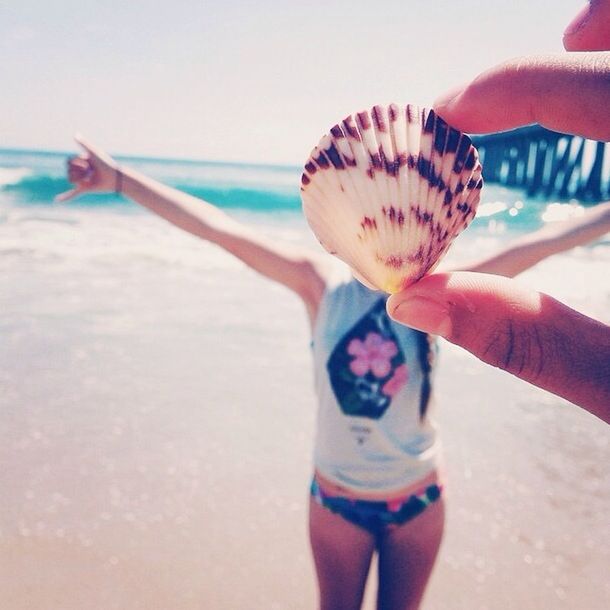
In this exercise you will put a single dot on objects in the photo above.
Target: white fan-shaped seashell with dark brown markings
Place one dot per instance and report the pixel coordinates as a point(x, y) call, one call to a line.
point(388, 190)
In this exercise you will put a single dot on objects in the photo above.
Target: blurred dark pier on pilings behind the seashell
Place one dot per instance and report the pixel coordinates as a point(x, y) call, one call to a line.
point(546, 163)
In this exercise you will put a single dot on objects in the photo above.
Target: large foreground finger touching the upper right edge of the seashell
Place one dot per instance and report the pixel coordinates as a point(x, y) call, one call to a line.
point(569, 93)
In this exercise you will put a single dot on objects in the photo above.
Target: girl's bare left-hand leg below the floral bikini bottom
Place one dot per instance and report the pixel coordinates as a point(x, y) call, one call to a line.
point(342, 553)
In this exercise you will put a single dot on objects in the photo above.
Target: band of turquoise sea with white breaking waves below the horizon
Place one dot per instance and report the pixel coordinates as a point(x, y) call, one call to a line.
point(33, 178)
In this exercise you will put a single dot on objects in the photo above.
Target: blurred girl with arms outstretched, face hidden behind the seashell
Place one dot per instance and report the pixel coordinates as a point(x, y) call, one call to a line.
point(376, 485)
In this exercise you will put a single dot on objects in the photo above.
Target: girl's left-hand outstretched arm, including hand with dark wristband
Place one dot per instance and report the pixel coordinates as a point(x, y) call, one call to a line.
point(302, 271)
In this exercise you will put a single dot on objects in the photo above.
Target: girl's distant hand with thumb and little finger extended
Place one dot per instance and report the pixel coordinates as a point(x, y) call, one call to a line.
point(91, 172)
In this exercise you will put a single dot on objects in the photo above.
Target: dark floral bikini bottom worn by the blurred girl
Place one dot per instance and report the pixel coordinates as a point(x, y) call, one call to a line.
point(374, 516)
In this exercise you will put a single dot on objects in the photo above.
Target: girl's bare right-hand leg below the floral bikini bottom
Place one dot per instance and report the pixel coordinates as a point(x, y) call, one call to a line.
point(406, 557)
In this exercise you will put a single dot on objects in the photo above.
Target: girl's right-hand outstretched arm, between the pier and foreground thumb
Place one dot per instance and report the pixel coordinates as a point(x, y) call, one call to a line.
point(552, 239)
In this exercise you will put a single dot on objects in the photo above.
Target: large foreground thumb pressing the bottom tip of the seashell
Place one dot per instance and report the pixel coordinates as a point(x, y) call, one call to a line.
point(526, 333)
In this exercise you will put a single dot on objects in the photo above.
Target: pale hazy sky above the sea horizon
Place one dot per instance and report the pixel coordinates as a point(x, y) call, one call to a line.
point(237, 80)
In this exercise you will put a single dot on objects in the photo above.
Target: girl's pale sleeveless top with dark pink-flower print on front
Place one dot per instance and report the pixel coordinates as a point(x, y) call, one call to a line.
point(375, 429)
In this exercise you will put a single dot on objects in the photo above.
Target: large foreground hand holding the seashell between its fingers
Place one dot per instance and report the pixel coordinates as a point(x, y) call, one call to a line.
point(523, 332)
